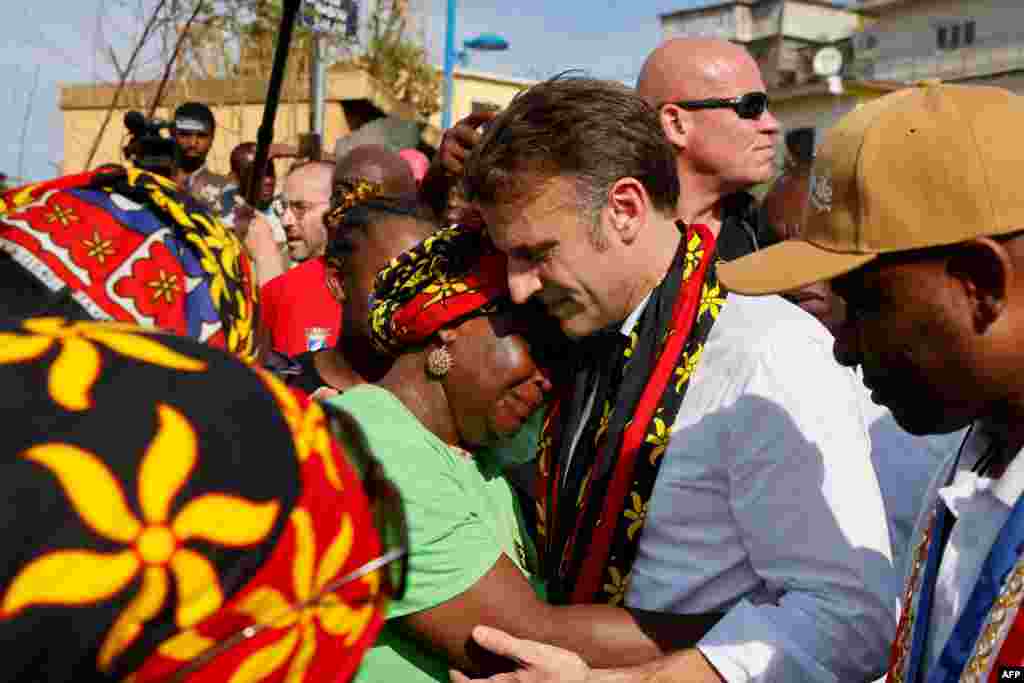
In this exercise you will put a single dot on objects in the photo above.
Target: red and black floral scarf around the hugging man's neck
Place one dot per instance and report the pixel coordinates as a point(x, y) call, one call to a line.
point(589, 525)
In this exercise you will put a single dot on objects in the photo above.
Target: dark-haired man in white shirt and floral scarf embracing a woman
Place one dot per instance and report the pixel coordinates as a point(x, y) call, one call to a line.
point(746, 495)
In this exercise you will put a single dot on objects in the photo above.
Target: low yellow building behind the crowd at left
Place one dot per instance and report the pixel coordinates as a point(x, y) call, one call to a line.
point(353, 100)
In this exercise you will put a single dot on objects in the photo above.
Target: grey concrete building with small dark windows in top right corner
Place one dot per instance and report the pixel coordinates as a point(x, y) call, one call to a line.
point(966, 41)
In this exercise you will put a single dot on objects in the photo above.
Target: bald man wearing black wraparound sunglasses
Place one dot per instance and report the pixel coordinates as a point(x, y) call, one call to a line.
point(714, 111)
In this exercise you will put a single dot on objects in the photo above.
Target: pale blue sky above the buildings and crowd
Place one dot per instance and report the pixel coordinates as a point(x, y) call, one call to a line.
point(60, 41)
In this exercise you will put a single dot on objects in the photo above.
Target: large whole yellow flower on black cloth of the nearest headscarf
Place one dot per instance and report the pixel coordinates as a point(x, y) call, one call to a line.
point(153, 542)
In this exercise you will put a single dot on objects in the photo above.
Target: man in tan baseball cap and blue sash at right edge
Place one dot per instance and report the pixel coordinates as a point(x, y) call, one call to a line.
point(916, 216)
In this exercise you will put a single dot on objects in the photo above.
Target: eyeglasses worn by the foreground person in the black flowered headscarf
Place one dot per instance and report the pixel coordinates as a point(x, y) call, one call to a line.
point(390, 520)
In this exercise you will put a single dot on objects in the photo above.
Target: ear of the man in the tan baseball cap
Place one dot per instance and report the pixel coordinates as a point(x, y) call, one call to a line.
point(986, 273)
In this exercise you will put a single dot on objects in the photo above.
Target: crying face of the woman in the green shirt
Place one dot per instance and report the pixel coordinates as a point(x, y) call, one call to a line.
point(495, 385)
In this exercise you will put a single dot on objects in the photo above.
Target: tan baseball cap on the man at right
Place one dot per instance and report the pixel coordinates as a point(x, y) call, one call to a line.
point(921, 167)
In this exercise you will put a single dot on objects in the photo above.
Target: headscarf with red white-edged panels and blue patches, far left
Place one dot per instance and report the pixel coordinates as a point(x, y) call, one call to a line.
point(133, 248)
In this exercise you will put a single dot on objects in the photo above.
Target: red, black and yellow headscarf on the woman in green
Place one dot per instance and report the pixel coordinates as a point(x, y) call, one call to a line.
point(454, 275)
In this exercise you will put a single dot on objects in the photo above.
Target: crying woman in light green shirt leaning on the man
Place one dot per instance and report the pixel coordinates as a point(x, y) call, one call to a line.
point(464, 381)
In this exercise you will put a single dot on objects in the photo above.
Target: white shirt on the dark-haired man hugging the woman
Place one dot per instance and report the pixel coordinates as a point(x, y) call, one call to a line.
point(767, 507)
